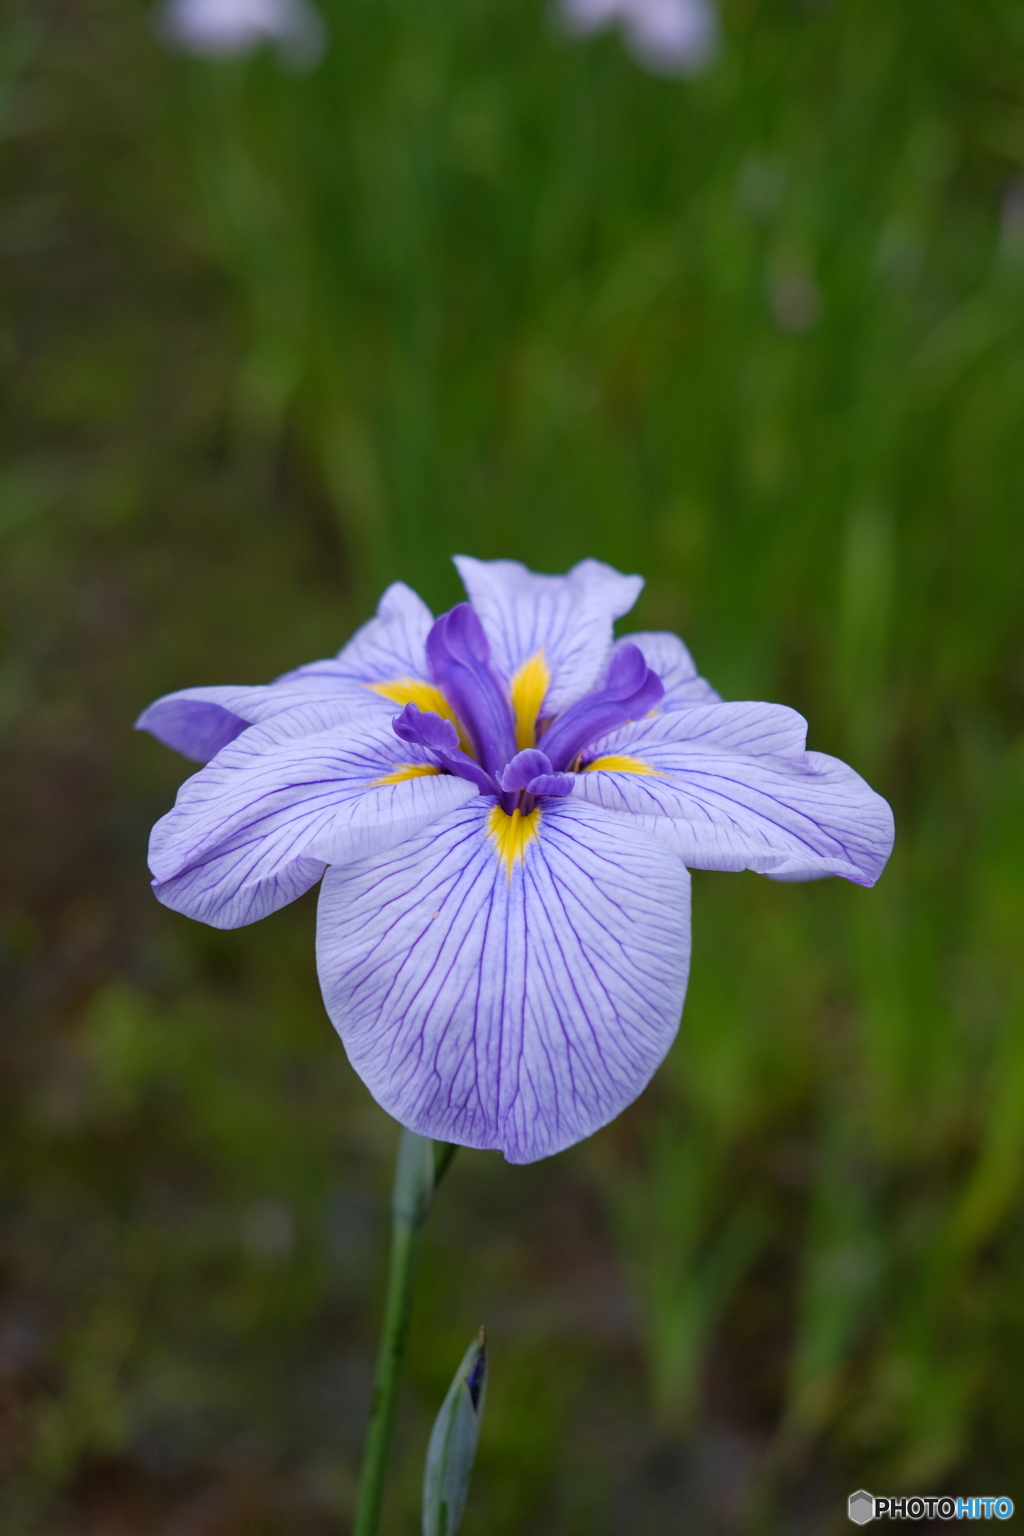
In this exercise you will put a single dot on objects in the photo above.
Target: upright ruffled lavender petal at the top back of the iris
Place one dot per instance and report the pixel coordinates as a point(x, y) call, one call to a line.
point(567, 618)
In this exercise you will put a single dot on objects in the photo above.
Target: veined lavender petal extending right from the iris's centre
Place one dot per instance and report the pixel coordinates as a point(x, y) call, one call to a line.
point(730, 787)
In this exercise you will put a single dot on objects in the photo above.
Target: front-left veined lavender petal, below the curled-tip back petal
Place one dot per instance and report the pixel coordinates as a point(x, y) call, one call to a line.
point(256, 829)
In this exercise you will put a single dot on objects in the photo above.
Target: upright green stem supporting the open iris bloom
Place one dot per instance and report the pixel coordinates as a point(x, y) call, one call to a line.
point(418, 1171)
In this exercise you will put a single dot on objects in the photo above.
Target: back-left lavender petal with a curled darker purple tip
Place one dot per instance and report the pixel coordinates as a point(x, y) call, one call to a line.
point(200, 723)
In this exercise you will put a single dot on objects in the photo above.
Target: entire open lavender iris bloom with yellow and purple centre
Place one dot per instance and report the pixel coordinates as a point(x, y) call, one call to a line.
point(504, 806)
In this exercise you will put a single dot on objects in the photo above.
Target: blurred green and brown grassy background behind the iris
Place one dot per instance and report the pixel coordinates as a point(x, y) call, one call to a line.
point(271, 340)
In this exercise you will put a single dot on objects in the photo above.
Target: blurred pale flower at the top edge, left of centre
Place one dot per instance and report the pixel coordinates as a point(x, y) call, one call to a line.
point(223, 28)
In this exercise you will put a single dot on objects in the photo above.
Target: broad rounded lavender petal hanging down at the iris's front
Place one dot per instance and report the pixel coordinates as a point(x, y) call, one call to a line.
point(514, 1007)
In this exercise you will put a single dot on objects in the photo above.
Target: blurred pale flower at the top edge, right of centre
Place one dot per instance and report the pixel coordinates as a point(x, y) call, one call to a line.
point(672, 38)
